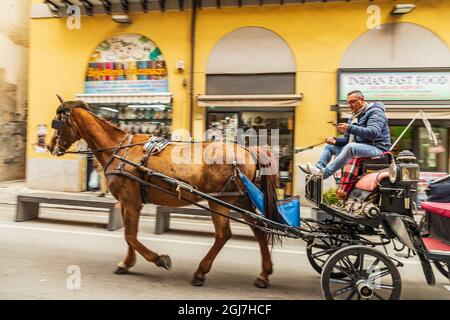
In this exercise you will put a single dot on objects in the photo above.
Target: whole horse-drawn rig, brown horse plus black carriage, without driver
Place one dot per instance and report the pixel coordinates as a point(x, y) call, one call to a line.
point(378, 211)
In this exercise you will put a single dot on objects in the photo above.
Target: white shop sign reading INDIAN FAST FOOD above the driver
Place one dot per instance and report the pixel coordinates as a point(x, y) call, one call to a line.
point(396, 85)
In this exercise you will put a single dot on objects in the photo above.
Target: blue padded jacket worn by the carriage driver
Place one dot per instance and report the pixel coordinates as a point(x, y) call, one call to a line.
point(372, 128)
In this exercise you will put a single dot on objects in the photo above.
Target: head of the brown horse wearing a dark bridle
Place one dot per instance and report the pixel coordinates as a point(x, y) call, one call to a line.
point(65, 132)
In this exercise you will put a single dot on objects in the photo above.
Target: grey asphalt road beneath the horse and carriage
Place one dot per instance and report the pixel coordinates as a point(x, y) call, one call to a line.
point(38, 259)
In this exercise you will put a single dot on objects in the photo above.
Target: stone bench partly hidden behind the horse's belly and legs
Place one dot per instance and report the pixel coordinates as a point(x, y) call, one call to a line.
point(163, 213)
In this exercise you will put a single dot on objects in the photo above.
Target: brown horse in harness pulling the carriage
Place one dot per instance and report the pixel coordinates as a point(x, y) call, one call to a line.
point(77, 122)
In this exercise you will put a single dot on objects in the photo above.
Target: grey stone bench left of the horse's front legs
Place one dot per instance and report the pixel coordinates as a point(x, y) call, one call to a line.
point(28, 206)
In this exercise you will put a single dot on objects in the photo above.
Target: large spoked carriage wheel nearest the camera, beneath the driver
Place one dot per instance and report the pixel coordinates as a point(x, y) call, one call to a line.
point(375, 277)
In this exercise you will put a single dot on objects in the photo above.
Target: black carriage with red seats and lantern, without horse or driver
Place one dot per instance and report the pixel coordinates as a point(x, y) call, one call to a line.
point(378, 212)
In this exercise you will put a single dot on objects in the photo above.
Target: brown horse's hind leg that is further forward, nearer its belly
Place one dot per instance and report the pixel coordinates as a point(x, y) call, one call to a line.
point(222, 235)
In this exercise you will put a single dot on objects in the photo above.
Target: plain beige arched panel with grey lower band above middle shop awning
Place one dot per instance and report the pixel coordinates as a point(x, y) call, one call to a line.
point(251, 60)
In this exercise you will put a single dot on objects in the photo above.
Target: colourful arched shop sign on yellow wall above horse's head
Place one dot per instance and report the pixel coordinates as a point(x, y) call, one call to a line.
point(129, 63)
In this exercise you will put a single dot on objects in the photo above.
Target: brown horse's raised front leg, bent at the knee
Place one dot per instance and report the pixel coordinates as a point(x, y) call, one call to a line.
point(131, 224)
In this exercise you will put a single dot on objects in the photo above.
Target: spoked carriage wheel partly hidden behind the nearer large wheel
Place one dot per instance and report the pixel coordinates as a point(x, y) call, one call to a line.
point(318, 252)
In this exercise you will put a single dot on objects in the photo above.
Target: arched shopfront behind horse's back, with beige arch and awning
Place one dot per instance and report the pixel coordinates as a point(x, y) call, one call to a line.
point(250, 84)
